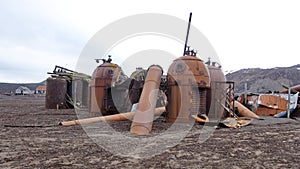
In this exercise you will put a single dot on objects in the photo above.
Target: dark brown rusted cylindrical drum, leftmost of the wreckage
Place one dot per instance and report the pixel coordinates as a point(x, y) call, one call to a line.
point(56, 93)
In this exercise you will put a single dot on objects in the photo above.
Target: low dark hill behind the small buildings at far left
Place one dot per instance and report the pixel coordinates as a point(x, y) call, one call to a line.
point(7, 87)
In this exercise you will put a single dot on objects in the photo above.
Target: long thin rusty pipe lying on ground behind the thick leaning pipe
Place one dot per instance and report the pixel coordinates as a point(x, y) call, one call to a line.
point(115, 117)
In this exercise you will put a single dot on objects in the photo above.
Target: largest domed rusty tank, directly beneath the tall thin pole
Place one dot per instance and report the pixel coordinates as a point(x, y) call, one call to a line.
point(187, 80)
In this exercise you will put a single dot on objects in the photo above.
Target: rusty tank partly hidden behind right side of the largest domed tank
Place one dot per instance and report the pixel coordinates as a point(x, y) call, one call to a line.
point(216, 95)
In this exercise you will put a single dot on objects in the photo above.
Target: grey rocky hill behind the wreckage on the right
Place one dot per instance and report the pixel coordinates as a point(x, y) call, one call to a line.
point(264, 80)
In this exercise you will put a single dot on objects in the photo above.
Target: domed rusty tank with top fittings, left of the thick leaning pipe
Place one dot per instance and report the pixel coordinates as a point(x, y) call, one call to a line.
point(104, 78)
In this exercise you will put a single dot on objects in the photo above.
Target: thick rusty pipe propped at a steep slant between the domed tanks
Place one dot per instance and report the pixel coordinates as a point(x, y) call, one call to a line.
point(143, 118)
